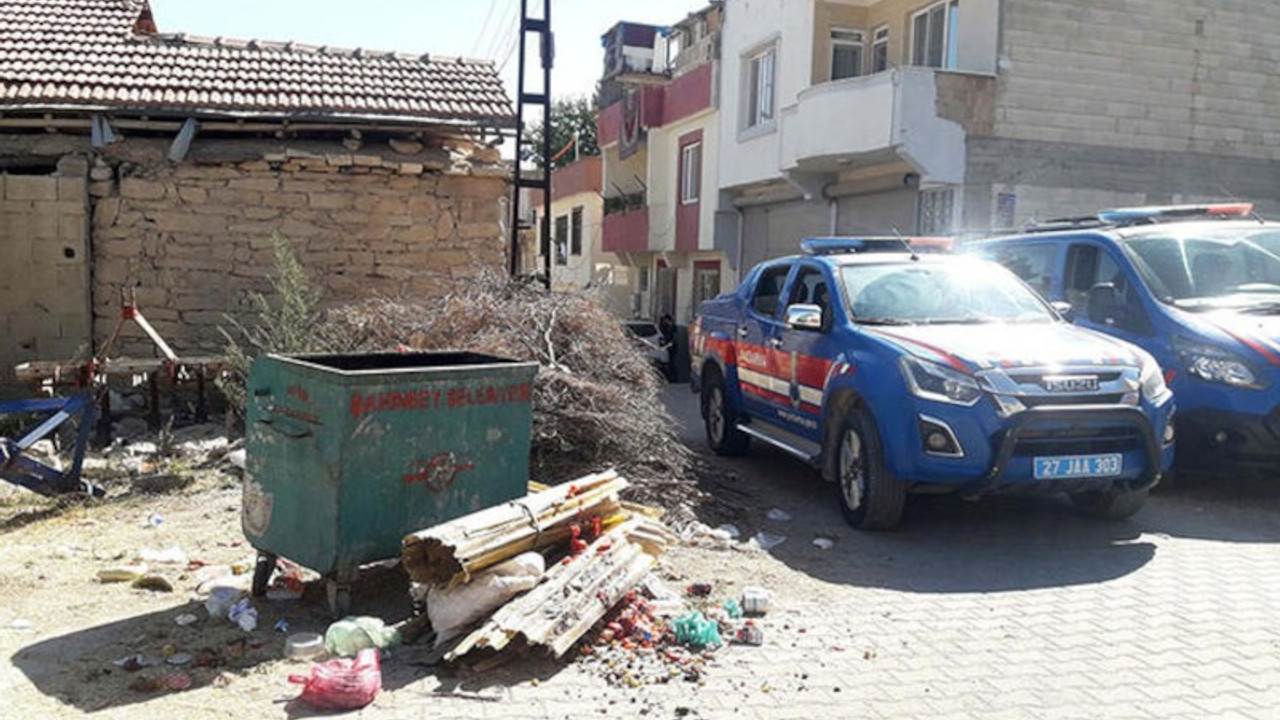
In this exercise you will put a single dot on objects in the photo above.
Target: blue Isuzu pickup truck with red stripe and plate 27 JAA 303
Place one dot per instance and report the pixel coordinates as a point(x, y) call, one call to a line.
point(897, 372)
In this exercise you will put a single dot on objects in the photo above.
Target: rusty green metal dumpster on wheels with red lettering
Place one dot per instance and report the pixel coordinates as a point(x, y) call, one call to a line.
point(348, 454)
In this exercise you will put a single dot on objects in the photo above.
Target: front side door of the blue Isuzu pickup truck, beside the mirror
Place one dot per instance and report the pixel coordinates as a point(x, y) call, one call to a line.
point(804, 357)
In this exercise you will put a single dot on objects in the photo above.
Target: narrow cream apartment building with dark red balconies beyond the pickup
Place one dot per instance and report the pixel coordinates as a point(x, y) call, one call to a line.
point(659, 135)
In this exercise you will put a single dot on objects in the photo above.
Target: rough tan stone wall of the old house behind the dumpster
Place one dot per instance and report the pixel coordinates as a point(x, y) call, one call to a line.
point(195, 240)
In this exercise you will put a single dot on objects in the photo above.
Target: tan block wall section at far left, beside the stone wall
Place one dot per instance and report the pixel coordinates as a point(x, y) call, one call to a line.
point(44, 266)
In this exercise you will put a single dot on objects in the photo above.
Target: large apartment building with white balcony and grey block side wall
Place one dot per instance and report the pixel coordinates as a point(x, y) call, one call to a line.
point(921, 117)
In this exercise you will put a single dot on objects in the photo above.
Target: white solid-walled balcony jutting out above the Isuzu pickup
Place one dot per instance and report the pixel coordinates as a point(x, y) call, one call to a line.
point(916, 115)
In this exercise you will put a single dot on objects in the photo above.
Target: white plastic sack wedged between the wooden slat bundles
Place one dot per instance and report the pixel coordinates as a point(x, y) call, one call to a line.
point(454, 610)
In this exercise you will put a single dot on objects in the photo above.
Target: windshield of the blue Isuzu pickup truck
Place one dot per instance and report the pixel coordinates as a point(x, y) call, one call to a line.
point(953, 293)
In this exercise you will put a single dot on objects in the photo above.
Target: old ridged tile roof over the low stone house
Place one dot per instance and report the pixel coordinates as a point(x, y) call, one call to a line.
point(85, 54)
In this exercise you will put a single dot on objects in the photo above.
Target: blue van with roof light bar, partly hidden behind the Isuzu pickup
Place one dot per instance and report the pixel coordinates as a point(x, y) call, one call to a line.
point(1197, 288)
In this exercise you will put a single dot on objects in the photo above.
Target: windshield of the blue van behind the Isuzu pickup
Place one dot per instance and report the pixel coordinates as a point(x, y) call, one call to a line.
point(1210, 271)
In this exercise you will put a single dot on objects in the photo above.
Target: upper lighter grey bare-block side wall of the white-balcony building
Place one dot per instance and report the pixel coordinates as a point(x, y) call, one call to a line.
point(1178, 76)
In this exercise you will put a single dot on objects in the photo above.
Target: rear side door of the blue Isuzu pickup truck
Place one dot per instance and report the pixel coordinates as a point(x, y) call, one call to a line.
point(758, 332)
